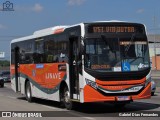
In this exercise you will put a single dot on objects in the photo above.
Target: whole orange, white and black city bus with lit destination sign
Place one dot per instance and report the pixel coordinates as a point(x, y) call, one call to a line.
point(103, 61)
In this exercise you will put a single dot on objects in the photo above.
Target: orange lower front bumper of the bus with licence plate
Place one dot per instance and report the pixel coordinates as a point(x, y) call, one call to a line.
point(92, 95)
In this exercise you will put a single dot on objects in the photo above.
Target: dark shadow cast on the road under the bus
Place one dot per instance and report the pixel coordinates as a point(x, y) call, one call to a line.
point(100, 109)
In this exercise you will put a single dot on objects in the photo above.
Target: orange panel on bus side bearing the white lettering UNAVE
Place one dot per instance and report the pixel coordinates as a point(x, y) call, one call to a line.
point(49, 76)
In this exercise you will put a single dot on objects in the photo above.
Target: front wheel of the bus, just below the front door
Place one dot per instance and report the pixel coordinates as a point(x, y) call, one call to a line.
point(66, 99)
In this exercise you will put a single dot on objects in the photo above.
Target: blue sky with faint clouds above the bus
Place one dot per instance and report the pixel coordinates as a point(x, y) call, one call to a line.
point(31, 15)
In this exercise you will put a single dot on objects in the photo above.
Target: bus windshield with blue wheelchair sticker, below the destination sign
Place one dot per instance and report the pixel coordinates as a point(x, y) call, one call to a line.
point(116, 54)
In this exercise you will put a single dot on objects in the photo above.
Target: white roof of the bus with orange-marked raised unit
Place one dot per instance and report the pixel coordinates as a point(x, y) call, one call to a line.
point(58, 29)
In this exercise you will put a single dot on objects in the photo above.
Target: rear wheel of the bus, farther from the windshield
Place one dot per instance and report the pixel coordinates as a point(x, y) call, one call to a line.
point(28, 92)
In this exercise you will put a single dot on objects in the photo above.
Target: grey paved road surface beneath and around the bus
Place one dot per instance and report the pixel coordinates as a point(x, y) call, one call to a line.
point(10, 101)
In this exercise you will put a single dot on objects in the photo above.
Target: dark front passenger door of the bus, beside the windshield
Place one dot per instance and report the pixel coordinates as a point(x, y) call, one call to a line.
point(74, 67)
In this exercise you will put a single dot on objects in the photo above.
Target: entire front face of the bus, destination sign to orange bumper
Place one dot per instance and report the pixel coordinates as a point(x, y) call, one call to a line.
point(116, 62)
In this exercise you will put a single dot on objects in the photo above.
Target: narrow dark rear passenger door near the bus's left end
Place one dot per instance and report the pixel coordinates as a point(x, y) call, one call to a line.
point(17, 81)
